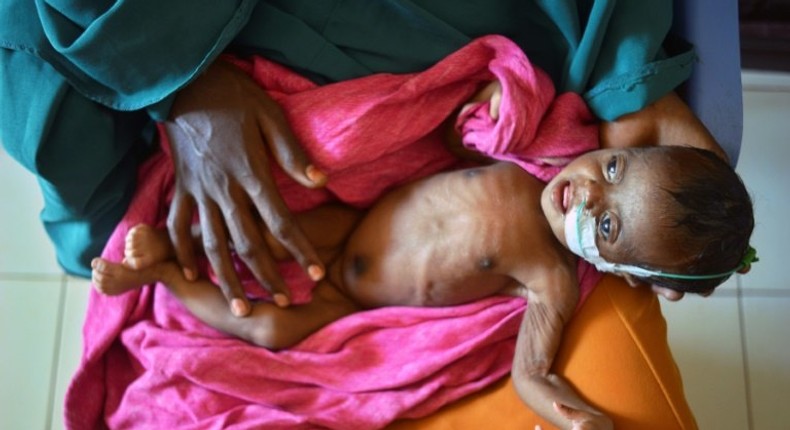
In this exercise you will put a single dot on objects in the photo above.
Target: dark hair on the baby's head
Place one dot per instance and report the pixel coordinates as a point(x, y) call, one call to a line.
point(712, 213)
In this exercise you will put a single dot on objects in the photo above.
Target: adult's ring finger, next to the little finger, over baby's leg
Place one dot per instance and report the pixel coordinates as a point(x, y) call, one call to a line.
point(215, 246)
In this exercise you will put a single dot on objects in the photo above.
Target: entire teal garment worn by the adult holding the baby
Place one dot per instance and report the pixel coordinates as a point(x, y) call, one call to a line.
point(82, 81)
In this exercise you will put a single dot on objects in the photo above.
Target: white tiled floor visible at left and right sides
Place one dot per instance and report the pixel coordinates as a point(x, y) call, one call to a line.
point(733, 348)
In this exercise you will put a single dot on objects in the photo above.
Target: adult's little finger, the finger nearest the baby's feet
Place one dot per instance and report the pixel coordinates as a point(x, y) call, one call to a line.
point(179, 227)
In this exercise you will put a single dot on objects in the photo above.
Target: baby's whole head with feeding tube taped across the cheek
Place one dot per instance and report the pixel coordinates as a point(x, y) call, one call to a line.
point(652, 213)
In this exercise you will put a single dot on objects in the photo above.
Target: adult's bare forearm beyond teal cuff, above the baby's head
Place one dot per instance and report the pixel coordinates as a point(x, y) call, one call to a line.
point(667, 122)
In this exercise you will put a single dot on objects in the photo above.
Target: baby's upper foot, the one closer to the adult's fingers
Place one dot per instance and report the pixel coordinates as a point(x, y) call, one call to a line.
point(146, 246)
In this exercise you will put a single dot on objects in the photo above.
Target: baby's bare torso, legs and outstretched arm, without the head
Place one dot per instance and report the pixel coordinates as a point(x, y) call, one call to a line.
point(444, 240)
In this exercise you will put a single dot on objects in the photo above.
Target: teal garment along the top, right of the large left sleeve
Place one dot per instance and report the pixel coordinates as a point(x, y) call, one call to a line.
point(615, 60)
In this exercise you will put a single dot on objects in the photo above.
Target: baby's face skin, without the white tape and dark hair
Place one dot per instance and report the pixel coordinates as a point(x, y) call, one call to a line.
point(621, 188)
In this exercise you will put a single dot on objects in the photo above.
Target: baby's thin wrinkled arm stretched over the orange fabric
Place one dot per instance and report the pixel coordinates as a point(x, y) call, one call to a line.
point(552, 300)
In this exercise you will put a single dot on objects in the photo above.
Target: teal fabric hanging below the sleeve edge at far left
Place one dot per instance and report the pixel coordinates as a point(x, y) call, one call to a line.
point(85, 163)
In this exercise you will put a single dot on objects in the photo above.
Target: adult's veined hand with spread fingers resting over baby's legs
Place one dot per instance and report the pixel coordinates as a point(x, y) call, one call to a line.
point(222, 130)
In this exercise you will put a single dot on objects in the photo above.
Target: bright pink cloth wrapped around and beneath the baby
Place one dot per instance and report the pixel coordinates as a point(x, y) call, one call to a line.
point(147, 363)
